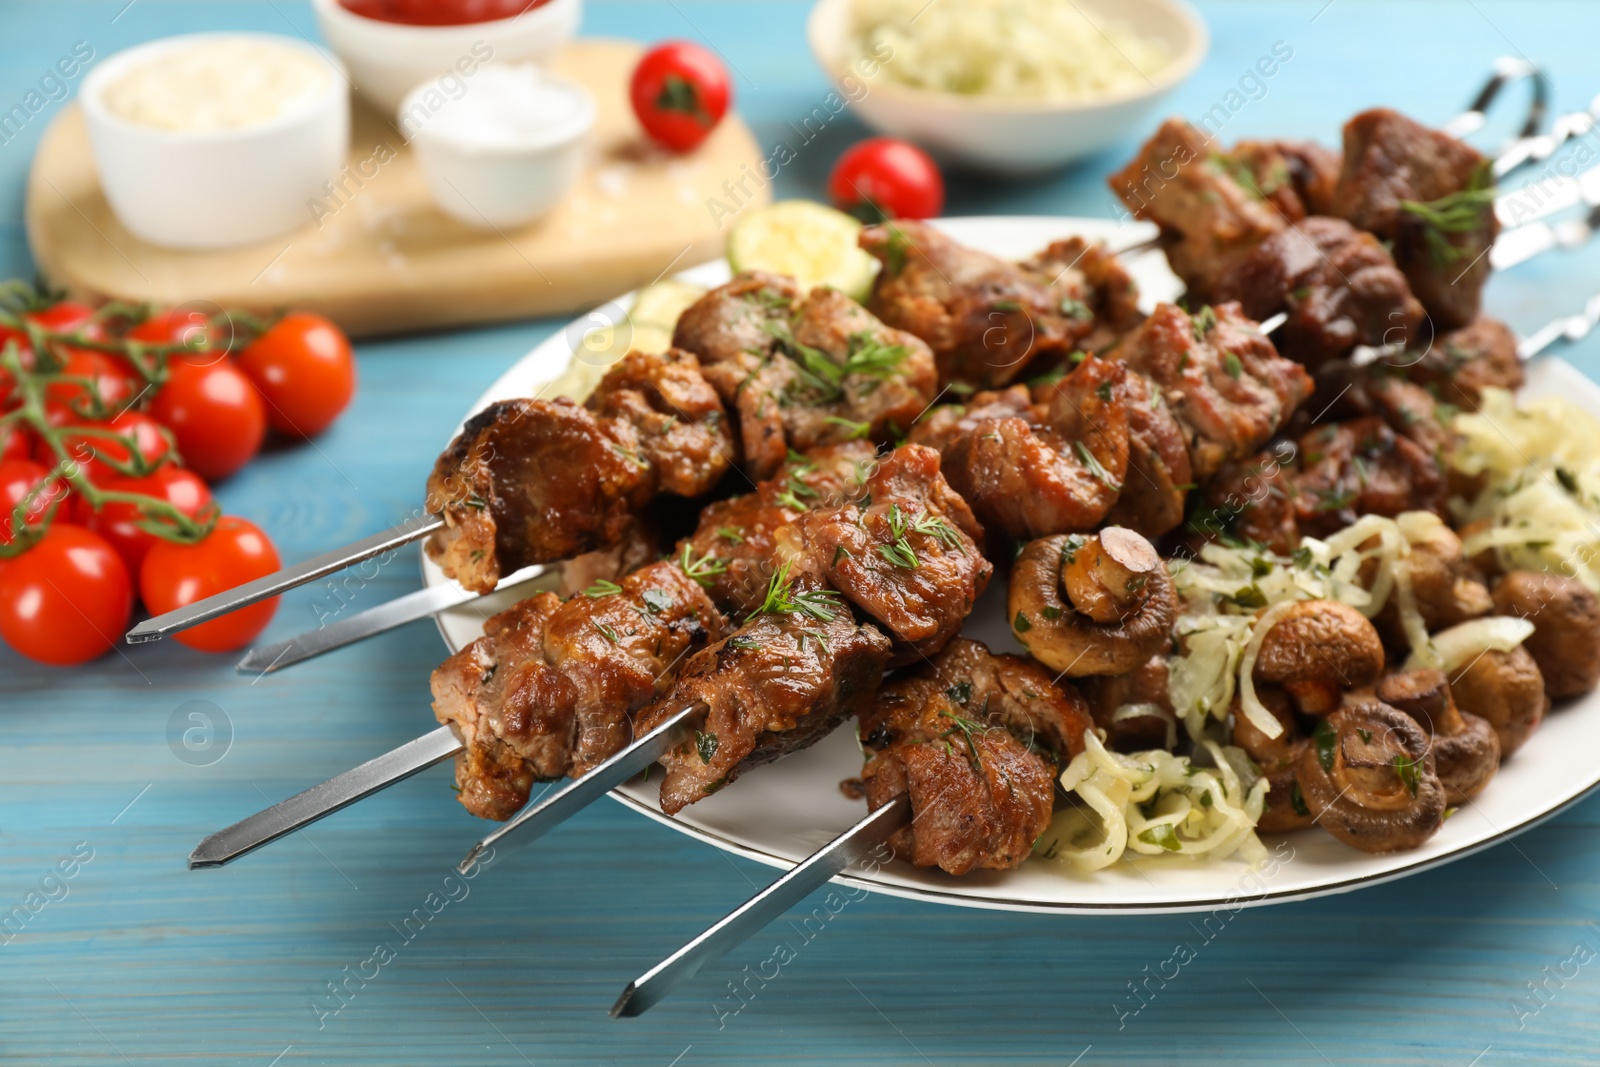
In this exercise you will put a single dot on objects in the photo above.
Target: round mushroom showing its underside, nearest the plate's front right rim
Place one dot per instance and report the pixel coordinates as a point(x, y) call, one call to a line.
point(1369, 780)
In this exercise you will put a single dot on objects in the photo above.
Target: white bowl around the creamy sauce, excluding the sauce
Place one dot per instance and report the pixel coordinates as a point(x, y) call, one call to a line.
point(217, 188)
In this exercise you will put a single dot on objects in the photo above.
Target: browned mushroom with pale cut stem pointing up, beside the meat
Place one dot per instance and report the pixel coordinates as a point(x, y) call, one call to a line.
point(1092, 605)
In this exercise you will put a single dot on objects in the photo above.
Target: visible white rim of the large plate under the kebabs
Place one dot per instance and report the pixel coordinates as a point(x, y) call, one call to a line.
point(985, 901)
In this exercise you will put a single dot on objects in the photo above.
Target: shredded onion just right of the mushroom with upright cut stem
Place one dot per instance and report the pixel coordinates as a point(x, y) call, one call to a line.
point(1233, 597)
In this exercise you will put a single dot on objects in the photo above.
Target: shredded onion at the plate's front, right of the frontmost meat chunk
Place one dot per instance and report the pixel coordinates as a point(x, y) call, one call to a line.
point(1156, 804)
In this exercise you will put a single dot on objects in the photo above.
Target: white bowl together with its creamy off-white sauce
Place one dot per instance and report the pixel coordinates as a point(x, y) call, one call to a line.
point(217, 140)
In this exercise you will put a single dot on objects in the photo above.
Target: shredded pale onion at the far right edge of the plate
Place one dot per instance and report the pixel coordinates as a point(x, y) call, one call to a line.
point(1540, 498)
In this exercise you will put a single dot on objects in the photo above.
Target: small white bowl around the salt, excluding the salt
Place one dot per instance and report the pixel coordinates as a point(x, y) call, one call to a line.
point(508, 182)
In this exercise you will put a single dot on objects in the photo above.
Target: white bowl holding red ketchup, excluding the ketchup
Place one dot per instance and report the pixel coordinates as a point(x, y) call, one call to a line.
point(388, 60)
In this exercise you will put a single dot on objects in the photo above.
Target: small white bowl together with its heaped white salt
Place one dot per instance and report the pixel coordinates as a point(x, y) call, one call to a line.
point(502, 151)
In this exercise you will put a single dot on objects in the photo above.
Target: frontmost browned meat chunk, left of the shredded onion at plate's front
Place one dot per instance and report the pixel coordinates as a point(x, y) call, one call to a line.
point(975, 740)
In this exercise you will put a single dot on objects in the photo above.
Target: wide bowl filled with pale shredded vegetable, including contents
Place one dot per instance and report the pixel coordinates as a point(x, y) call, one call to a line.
point(1010, 87)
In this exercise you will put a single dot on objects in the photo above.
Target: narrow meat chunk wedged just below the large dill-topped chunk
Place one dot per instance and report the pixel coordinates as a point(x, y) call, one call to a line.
point(737, 541)
